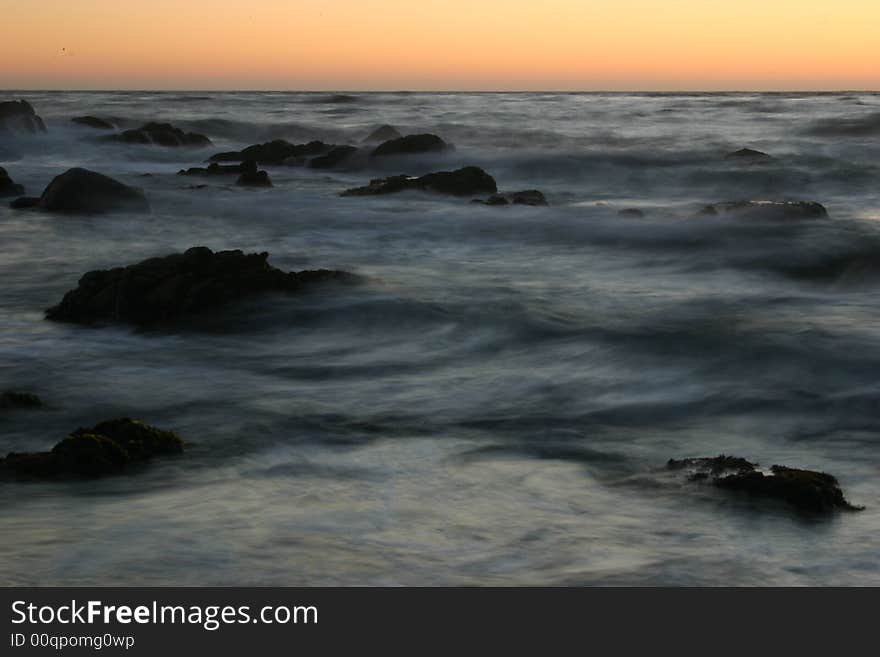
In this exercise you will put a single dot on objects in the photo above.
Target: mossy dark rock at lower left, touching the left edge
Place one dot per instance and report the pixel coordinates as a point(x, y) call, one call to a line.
point(108, 448)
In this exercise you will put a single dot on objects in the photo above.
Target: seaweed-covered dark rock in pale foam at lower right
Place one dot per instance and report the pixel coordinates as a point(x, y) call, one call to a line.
point(806, 490)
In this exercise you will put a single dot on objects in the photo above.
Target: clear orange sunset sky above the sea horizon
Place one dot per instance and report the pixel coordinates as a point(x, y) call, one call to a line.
point(440, 44)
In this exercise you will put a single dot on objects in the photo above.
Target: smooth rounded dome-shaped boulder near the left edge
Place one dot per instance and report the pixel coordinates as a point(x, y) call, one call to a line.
point(81, 190)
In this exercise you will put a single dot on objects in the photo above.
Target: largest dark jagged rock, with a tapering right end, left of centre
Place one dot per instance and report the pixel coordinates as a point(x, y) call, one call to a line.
point(161, 290)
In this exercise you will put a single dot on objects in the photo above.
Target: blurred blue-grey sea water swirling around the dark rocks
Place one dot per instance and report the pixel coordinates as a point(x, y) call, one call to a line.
point(494, 406)
